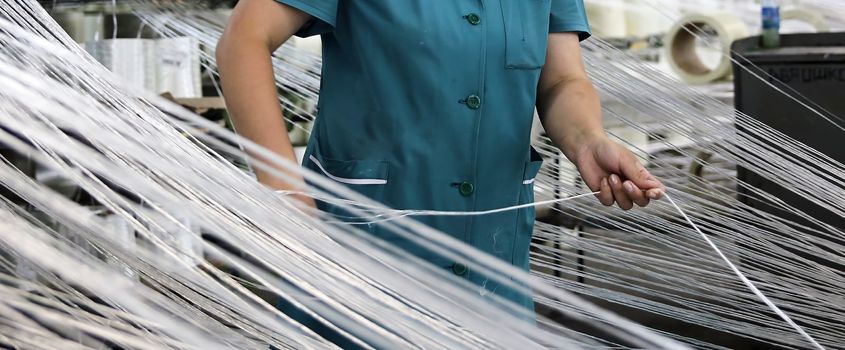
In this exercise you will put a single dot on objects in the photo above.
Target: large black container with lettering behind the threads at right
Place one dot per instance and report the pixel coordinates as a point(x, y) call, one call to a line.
point(813, 66)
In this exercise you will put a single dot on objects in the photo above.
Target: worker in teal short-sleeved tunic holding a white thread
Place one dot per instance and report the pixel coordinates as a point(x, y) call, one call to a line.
point(428, 104)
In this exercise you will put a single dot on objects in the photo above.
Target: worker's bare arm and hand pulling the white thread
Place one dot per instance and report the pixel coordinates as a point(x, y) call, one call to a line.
point(570, 111)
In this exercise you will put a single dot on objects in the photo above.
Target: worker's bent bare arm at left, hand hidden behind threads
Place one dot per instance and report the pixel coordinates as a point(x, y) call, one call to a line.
point(255, 30)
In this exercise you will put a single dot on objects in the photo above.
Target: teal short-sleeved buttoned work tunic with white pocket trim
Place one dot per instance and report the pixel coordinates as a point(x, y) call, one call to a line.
point(428, 104)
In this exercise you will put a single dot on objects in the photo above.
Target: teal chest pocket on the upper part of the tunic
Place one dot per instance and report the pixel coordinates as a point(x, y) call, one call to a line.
point(526, 33)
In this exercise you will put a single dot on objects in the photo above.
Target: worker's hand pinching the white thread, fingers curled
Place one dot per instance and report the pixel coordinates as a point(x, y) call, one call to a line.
point(613, 170)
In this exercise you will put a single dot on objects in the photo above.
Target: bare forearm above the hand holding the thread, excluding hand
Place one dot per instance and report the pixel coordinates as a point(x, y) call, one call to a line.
point(571, 114)
